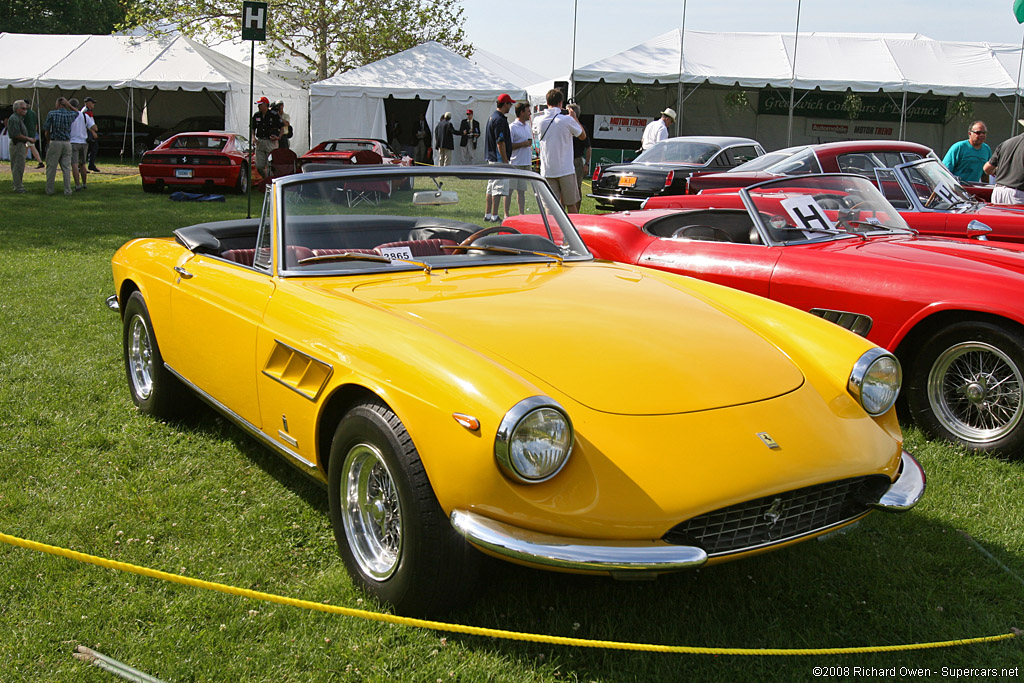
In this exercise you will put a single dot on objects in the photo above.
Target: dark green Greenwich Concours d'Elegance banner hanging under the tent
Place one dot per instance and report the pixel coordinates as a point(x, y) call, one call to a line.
point(834, 106)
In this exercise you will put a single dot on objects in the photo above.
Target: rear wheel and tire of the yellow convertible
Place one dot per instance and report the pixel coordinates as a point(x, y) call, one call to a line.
point(154, 390)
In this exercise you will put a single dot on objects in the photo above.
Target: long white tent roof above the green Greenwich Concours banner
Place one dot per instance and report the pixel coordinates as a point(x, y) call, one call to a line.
point(864, 63)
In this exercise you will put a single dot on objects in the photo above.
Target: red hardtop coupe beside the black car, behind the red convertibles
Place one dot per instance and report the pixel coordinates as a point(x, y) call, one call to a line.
point(861, 157)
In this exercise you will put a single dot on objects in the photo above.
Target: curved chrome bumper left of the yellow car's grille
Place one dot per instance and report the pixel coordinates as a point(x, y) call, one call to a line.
point(580, 554)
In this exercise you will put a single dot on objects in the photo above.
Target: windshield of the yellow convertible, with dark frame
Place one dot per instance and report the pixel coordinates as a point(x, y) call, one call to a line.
point(360, 221)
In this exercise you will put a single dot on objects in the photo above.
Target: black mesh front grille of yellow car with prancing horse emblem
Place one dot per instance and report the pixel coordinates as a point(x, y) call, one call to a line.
point(778, 519)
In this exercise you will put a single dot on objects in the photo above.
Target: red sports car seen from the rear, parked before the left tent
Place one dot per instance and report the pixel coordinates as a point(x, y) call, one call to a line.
point(207, 161)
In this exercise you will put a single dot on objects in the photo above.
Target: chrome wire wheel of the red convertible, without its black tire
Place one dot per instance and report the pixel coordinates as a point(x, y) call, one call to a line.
point(974, 391)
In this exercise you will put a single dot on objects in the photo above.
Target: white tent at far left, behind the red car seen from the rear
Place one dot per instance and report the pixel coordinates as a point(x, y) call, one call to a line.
point(160, 80)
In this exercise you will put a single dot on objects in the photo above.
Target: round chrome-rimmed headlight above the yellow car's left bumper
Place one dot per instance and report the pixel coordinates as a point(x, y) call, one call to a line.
point(534, 441)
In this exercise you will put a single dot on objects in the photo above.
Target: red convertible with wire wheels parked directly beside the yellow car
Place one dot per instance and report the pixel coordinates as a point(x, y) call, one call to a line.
point(832, 245)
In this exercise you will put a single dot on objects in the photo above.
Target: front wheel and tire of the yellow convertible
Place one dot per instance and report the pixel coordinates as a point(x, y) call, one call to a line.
point(394, 536)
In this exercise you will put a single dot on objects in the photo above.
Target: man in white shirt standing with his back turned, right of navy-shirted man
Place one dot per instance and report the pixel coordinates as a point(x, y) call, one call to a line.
point(556, 132)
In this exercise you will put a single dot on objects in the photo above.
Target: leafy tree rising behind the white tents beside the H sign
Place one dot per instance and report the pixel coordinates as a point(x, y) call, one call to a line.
point(320, 37)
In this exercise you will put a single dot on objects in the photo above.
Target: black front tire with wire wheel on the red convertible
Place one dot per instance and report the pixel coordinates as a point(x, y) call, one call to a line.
point(966, 387)
